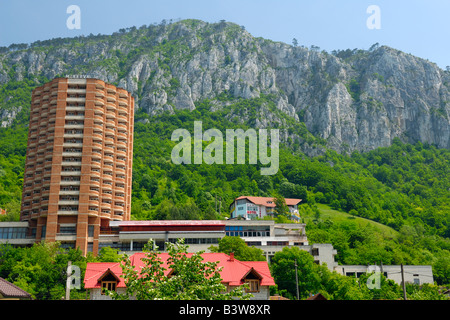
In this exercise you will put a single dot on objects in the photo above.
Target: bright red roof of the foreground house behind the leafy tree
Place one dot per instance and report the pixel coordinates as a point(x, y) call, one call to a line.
point(232, 273)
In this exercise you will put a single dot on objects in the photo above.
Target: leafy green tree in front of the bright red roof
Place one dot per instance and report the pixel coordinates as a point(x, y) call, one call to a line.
point(190, 278)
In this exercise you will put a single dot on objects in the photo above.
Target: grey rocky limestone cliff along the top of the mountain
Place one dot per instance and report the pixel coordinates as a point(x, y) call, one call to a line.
point(354, 99)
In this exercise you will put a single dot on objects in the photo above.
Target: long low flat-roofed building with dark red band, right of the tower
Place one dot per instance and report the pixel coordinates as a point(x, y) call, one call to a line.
point(201, 234)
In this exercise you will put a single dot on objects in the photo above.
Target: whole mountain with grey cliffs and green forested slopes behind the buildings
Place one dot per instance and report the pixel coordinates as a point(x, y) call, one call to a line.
point(222, 76)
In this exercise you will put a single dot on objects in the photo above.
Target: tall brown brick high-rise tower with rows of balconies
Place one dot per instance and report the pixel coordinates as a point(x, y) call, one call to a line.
point(79, 161)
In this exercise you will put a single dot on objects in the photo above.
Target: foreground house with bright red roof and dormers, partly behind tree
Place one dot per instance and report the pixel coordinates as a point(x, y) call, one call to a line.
point(234, 273)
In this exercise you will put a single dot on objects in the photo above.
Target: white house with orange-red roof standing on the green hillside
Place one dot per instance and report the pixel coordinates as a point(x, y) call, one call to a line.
point(259, 207)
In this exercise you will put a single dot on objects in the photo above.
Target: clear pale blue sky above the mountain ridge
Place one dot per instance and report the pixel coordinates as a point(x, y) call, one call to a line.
point(418, 27)
